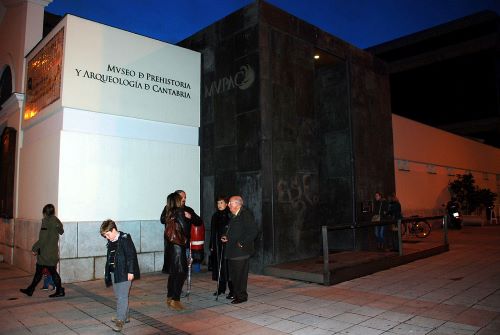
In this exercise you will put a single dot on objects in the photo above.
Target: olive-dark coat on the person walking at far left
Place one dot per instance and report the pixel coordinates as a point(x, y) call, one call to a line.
point(47, 247)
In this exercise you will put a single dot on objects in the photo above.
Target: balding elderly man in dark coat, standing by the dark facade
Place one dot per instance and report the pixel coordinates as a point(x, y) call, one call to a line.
point(239, 246)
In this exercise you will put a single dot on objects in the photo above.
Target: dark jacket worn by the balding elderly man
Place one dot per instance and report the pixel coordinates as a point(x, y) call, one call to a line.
point(241, 235)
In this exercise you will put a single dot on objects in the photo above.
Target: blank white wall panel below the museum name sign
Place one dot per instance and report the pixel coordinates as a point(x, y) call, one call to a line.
point(124, 179)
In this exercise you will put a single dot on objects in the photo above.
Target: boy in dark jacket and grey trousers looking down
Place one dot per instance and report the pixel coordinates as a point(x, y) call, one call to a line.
point(121, 269)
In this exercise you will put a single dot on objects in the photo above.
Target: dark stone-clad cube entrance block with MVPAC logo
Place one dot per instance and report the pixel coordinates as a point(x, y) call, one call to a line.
point(303, 141)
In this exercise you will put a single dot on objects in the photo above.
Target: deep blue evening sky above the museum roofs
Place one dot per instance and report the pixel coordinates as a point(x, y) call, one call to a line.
point(363, 23)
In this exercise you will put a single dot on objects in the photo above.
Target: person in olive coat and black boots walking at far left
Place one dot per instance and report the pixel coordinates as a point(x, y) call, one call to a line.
point(46, 250)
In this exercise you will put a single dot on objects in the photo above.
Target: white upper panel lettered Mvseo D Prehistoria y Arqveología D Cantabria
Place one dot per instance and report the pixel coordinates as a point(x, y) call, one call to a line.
point(112, 71)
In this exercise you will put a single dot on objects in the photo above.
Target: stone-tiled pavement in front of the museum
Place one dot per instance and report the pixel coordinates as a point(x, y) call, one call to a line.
point(457, 292)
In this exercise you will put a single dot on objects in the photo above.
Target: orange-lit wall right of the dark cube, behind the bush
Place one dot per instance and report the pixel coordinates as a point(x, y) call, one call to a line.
point(426, 159)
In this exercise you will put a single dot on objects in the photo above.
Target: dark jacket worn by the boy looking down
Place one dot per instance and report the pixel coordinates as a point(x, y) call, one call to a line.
point(125, 260)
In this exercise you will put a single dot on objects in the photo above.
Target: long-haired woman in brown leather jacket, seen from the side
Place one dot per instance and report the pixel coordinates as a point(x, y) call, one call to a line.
point(175, 236)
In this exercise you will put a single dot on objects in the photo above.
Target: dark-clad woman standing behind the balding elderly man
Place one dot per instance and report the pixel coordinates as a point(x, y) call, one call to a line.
point(218, 227)
